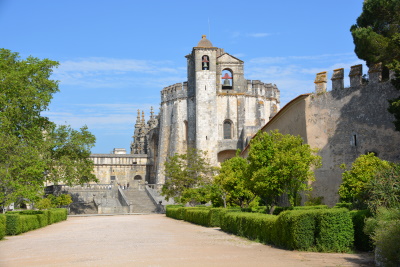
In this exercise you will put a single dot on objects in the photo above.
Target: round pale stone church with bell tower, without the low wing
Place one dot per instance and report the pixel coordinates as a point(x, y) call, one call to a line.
point(217, 110)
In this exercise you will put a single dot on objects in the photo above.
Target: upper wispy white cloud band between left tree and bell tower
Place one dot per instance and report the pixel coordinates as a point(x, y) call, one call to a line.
point(117, 73)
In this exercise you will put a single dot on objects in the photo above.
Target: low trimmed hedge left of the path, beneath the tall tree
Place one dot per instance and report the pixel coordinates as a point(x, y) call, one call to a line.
point(23, 221)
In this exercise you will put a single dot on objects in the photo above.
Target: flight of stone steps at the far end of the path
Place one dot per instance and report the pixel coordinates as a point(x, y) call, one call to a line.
point(141, 202)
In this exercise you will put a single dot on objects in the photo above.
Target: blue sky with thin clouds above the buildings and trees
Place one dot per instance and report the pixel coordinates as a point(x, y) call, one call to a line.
point(116, 56)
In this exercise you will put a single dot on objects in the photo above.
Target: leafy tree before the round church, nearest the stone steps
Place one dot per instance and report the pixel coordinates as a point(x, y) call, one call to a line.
point(186, 174)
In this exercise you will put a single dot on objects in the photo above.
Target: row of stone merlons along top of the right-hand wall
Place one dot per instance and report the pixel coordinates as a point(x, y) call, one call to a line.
point(355, 75)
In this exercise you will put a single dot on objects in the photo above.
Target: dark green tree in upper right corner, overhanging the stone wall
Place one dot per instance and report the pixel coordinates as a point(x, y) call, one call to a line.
point(376, 37)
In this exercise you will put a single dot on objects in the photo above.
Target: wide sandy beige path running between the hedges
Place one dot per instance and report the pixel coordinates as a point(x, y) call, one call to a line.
point(150, 240)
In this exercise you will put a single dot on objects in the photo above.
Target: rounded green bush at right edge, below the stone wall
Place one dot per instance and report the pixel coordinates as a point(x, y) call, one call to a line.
point(383, 190)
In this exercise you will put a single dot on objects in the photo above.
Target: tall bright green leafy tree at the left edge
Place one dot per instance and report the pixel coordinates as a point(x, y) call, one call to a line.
point(25, 91)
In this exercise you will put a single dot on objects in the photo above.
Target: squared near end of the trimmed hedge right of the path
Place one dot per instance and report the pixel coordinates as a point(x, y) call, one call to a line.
point(335, 231)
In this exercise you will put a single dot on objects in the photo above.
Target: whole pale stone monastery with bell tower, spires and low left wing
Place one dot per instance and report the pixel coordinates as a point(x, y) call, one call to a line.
point(216, 110)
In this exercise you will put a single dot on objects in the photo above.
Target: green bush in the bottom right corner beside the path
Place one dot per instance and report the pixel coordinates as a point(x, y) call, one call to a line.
point(384, 229)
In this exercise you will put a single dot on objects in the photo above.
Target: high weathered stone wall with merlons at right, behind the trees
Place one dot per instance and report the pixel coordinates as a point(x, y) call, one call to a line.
point(343, 123)
